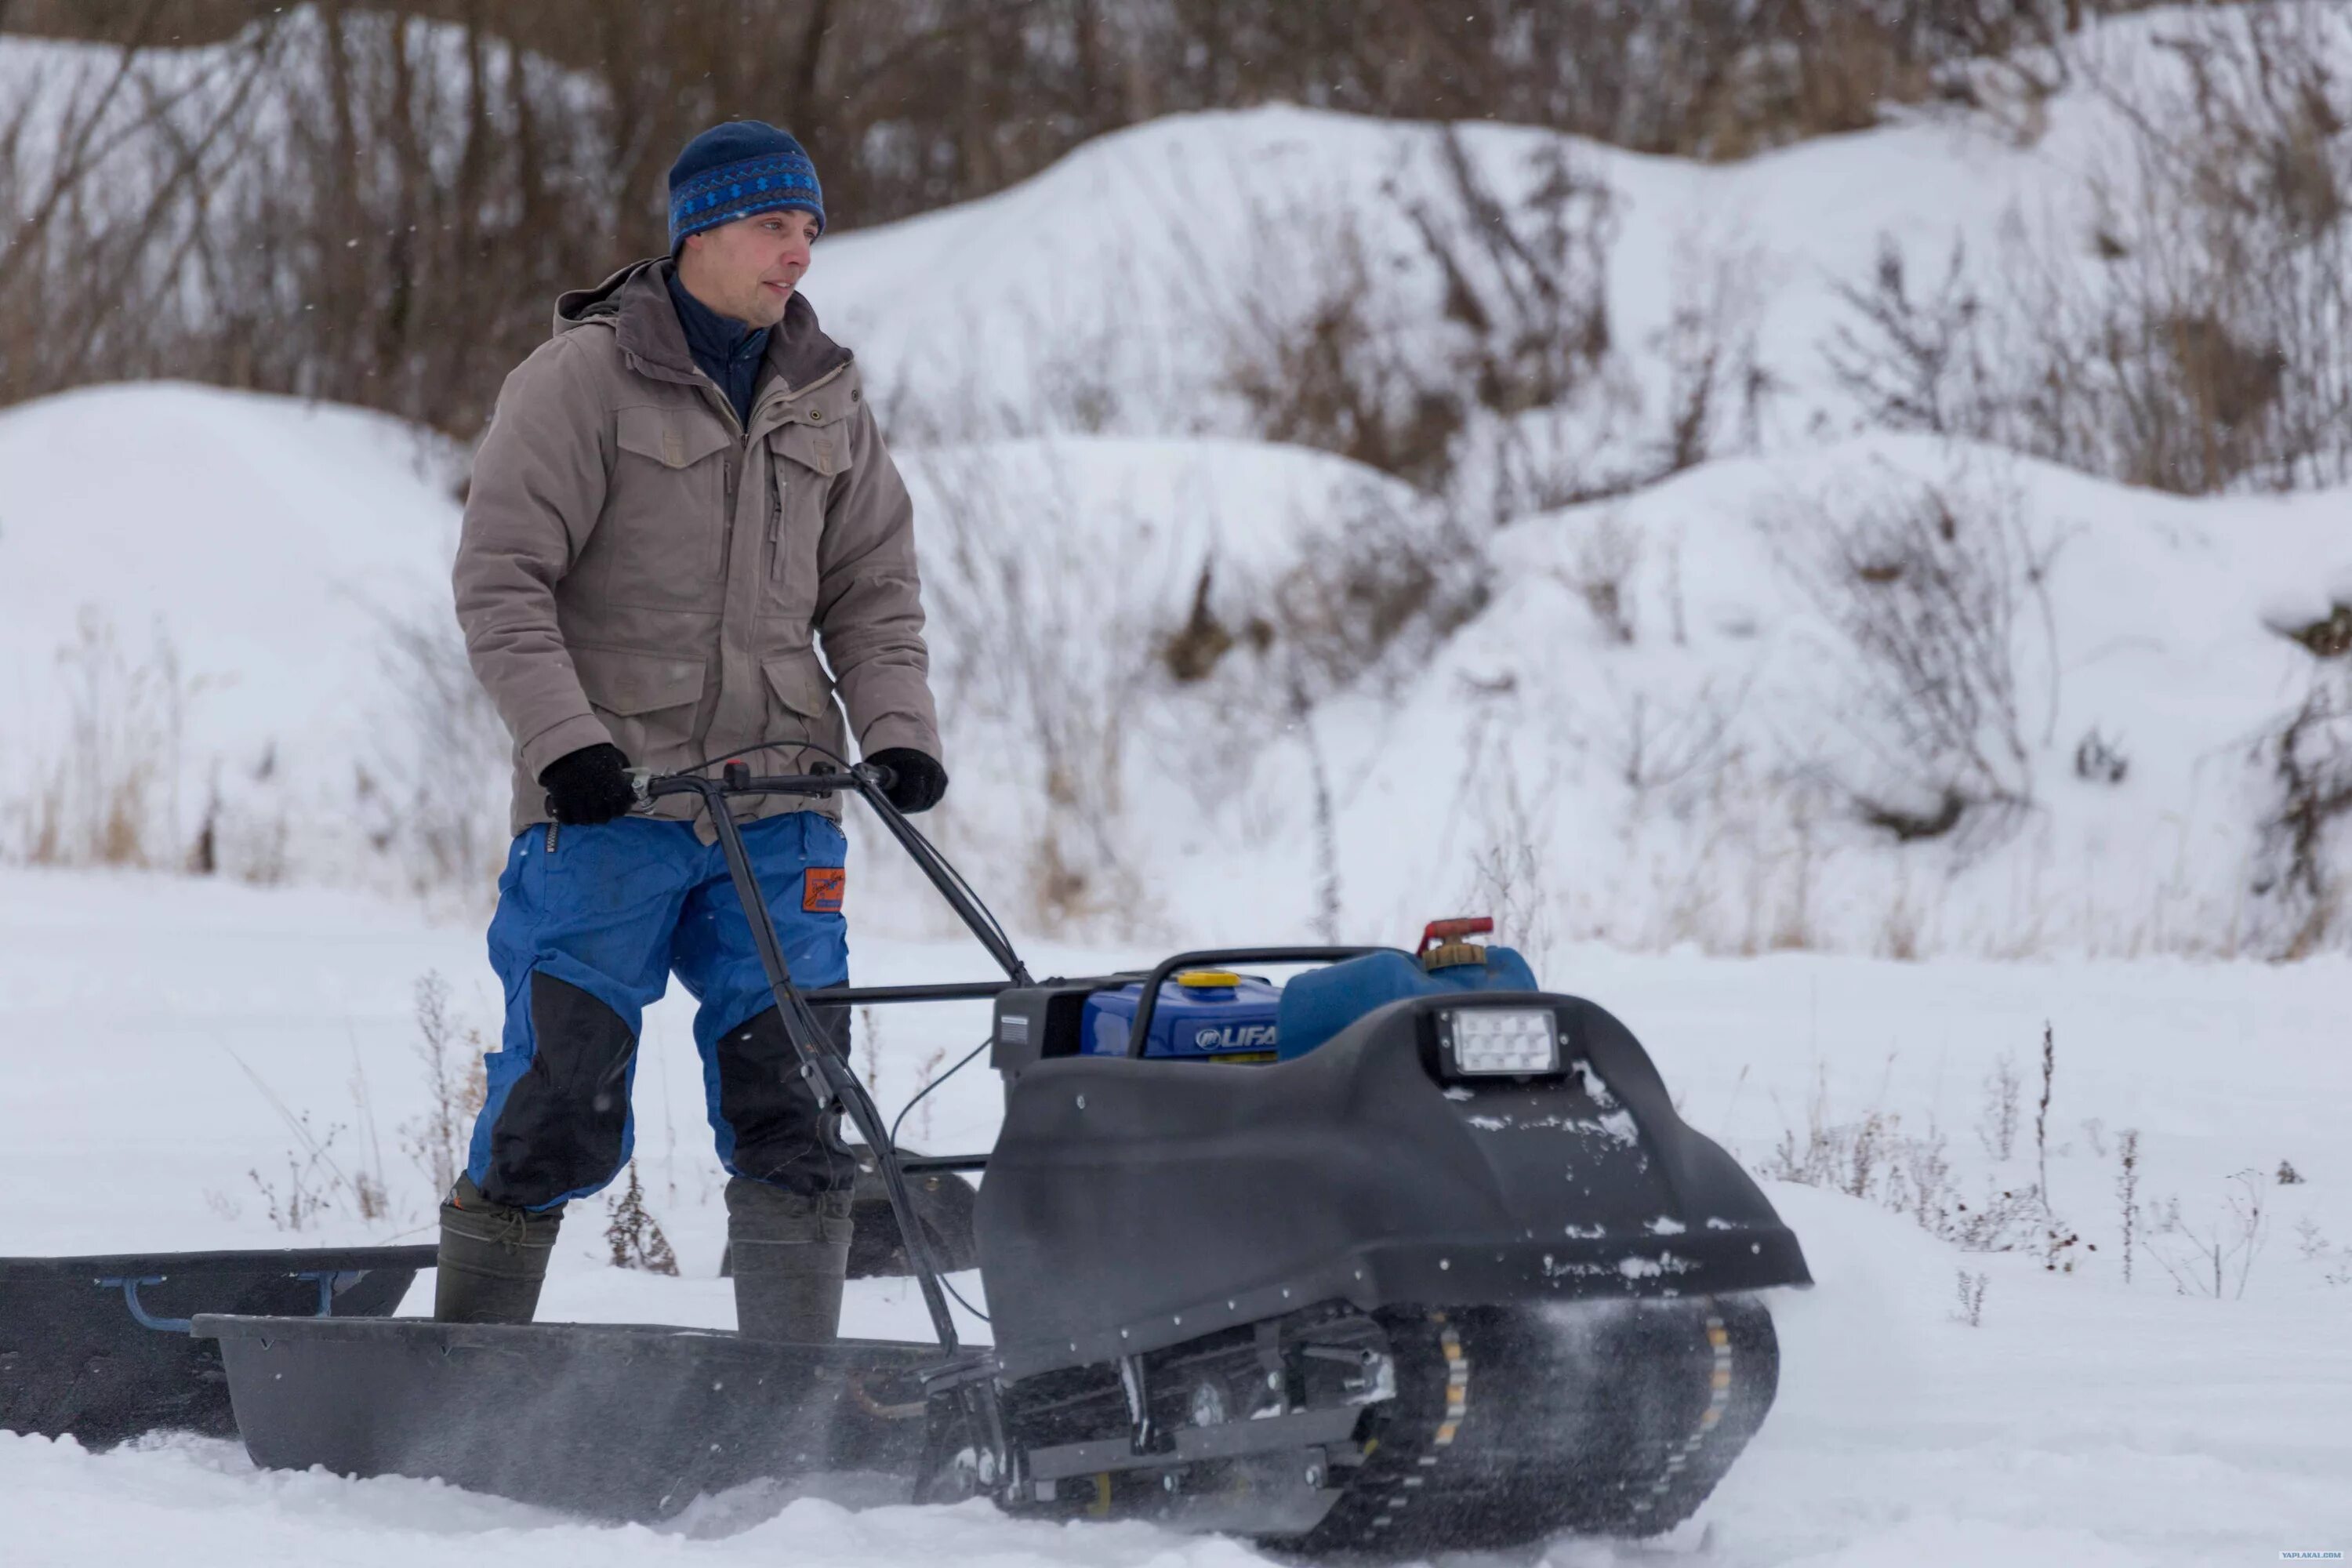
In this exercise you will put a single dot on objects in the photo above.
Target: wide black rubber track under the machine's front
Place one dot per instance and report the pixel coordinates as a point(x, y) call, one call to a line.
point(1516, 1426)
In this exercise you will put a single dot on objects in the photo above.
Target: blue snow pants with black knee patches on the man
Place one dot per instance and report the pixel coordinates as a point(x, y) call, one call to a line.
point(592, 923)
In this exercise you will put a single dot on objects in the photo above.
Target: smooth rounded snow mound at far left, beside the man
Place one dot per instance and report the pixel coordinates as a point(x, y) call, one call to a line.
point(211, 584)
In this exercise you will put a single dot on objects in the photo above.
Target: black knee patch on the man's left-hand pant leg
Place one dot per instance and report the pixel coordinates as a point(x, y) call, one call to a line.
point(563, 1123)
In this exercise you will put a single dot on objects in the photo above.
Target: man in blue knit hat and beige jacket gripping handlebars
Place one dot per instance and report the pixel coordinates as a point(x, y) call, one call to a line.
point(681, 497)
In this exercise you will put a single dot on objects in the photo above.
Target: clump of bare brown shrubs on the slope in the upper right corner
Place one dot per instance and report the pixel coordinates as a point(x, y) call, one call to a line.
point(2203, 344)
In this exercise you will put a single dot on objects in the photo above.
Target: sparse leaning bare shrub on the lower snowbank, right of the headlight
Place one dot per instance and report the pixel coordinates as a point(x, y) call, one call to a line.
point(1930, 587)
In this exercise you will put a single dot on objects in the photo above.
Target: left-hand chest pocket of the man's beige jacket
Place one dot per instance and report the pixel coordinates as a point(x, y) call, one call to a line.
point(667, 509)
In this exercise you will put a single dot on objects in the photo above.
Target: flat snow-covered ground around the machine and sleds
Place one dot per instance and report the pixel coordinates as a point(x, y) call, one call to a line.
point(159, 1033)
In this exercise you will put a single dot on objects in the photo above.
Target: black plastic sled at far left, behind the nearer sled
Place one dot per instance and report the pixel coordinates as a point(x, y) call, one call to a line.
point(100, 1351)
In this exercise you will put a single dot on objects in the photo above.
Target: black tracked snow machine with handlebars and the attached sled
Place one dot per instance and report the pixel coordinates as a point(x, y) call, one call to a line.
point(1452, 1278)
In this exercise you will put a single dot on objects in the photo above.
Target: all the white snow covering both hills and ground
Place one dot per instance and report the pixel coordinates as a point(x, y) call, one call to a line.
point(232, 579)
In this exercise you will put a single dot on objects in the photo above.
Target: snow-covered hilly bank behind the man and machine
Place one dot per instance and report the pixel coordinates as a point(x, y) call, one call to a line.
point(1281, 688)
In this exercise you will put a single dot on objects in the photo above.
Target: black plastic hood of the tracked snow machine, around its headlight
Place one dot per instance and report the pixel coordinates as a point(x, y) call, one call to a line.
point(1135, 1205)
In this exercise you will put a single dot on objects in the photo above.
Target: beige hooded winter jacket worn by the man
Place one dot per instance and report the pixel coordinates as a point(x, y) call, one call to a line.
point(639, 568)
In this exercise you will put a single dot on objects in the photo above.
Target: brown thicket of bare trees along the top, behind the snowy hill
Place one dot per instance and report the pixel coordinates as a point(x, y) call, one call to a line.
point(488, 156)
